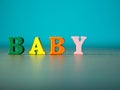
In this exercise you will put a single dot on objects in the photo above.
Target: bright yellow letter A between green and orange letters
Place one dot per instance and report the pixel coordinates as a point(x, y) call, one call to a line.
point(37, 48)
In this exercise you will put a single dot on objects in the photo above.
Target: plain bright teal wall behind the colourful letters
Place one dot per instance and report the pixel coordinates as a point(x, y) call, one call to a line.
point(99, 20)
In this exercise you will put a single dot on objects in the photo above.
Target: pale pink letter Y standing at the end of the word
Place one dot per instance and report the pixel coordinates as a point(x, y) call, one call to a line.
point(78, 44)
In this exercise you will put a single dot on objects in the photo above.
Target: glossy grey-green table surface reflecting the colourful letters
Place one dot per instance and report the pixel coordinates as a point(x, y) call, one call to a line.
point(97, 69)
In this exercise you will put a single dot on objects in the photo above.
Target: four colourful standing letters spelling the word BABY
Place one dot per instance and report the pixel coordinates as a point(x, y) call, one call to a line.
point(57, 48)
